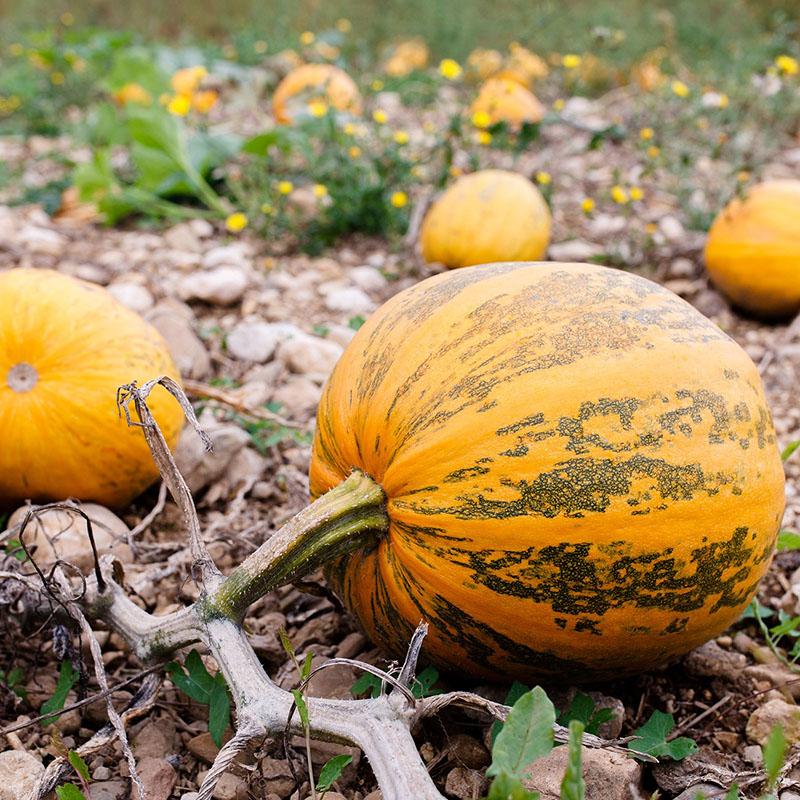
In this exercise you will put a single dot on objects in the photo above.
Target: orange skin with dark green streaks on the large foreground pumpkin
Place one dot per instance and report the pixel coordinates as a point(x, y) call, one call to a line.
point(581, 472)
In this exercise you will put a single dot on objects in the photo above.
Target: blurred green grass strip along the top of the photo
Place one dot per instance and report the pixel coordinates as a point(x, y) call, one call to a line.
point(706, 37)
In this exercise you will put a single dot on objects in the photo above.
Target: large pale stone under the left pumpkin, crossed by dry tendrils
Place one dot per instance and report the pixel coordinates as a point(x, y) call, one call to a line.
point(62, 534)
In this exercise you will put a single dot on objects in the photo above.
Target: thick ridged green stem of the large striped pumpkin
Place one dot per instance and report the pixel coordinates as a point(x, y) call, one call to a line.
point(348, 517)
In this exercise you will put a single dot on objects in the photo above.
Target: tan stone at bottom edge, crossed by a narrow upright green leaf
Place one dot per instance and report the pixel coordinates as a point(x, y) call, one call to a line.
point(609, 775)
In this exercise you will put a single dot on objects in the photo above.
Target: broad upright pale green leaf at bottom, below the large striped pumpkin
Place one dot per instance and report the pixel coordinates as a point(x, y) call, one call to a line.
point(526, 735)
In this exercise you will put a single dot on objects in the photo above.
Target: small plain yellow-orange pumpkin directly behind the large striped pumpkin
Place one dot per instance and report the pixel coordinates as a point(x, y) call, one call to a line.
point(490, 215)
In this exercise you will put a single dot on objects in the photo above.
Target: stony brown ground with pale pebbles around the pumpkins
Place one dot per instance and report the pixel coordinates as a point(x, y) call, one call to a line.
point(247, 327)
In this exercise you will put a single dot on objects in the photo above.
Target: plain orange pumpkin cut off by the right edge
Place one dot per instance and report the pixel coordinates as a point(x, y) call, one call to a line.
point(753, 249)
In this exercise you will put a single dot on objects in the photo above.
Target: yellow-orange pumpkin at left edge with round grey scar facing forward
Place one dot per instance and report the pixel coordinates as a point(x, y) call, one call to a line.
point(65, 348)
